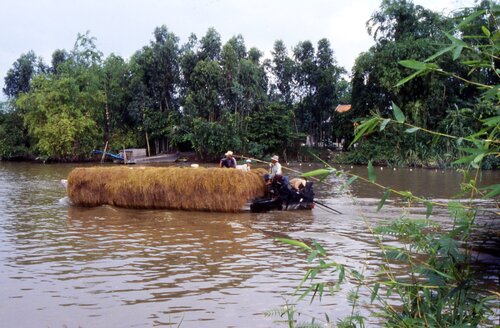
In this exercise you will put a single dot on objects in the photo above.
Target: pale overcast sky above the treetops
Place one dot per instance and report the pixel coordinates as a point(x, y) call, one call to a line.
point(125, 26)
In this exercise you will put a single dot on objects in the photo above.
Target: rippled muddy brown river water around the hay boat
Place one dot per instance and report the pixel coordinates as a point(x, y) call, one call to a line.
point(63, 266)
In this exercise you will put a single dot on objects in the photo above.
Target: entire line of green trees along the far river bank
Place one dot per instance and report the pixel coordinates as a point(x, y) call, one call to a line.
point(207, 96)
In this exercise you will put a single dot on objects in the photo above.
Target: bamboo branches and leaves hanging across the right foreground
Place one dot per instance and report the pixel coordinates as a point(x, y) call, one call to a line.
point(440, 288)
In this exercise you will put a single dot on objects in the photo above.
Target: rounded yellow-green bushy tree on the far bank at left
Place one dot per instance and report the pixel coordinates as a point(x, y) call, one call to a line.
point(59, 116)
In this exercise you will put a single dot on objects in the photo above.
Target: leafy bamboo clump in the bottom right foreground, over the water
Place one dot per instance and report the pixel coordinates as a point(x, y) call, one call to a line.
point(441, 291)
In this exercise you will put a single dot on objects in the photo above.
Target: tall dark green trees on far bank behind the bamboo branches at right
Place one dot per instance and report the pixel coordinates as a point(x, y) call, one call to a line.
point(403, 31)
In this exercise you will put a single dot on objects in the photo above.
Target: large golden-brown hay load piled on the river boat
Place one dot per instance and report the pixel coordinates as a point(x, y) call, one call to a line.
point(203, 189)
